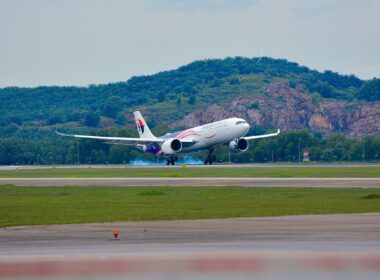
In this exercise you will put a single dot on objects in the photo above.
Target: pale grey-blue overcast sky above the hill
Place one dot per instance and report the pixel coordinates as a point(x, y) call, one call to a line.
point(83, 42)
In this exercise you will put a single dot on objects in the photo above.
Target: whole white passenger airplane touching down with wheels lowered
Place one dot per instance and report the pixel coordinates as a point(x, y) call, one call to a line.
point(229, 131)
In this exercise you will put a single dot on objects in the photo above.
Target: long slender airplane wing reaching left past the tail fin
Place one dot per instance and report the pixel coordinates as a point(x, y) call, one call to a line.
point(116, 140)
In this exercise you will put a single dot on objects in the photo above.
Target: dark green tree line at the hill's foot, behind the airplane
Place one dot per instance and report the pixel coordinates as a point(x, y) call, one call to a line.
point(287, 147)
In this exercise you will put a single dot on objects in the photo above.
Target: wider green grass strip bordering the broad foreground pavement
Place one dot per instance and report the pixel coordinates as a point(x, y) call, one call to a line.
point(59, 205)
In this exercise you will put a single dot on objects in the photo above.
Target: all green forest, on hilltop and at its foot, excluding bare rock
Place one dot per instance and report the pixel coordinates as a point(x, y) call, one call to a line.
point(29, 116)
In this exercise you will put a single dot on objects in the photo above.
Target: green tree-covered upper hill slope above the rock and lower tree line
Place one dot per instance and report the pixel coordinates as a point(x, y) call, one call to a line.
point(190, 87)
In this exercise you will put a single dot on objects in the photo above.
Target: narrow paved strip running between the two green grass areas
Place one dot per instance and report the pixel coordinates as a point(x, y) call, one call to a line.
point(160, 181)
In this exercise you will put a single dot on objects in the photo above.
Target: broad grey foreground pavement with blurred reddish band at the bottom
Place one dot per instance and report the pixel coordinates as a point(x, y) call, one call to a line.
point(293, 247)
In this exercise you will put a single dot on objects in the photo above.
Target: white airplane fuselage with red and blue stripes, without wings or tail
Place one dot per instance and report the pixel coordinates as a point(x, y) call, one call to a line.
point(208, 135)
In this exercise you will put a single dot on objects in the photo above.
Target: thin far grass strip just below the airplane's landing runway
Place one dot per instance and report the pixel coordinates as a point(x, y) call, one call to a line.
point(286, 171)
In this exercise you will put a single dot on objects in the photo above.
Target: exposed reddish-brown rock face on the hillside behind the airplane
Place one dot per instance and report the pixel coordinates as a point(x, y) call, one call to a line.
point(289, 108)
